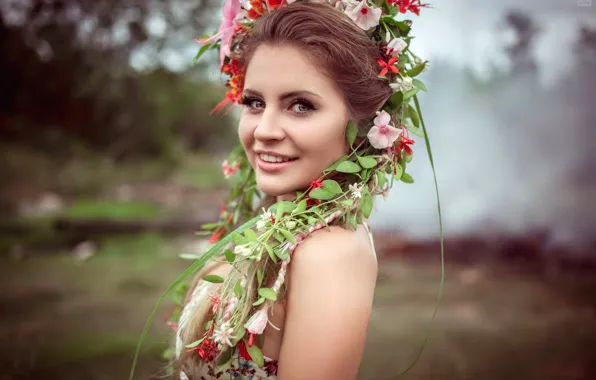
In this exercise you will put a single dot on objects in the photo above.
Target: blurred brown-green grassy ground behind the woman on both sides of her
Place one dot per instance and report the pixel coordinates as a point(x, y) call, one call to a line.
point(81, 321)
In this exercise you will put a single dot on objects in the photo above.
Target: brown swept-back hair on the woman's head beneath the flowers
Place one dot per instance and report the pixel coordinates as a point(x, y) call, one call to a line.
point(343, 51)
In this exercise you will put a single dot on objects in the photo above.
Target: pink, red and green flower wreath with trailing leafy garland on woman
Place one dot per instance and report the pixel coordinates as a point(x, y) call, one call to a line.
point(260, 250)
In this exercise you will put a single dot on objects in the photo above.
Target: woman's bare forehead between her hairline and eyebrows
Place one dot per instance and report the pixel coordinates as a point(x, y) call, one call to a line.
point(279, 69)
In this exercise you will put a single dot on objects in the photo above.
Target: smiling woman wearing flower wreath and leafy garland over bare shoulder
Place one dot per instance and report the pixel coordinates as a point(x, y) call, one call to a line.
point(322, 87)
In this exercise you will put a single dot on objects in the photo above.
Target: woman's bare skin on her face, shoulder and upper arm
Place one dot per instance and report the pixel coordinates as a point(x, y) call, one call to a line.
point(331, 280)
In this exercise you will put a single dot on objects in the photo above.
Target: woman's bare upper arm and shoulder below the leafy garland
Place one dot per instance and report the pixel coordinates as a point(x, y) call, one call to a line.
point(330, 296)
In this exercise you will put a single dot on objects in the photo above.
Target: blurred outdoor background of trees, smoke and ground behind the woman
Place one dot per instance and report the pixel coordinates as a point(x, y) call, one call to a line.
point(110, 161)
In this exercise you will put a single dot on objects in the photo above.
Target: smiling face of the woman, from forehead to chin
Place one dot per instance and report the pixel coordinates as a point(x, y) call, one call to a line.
point(294, 120)
